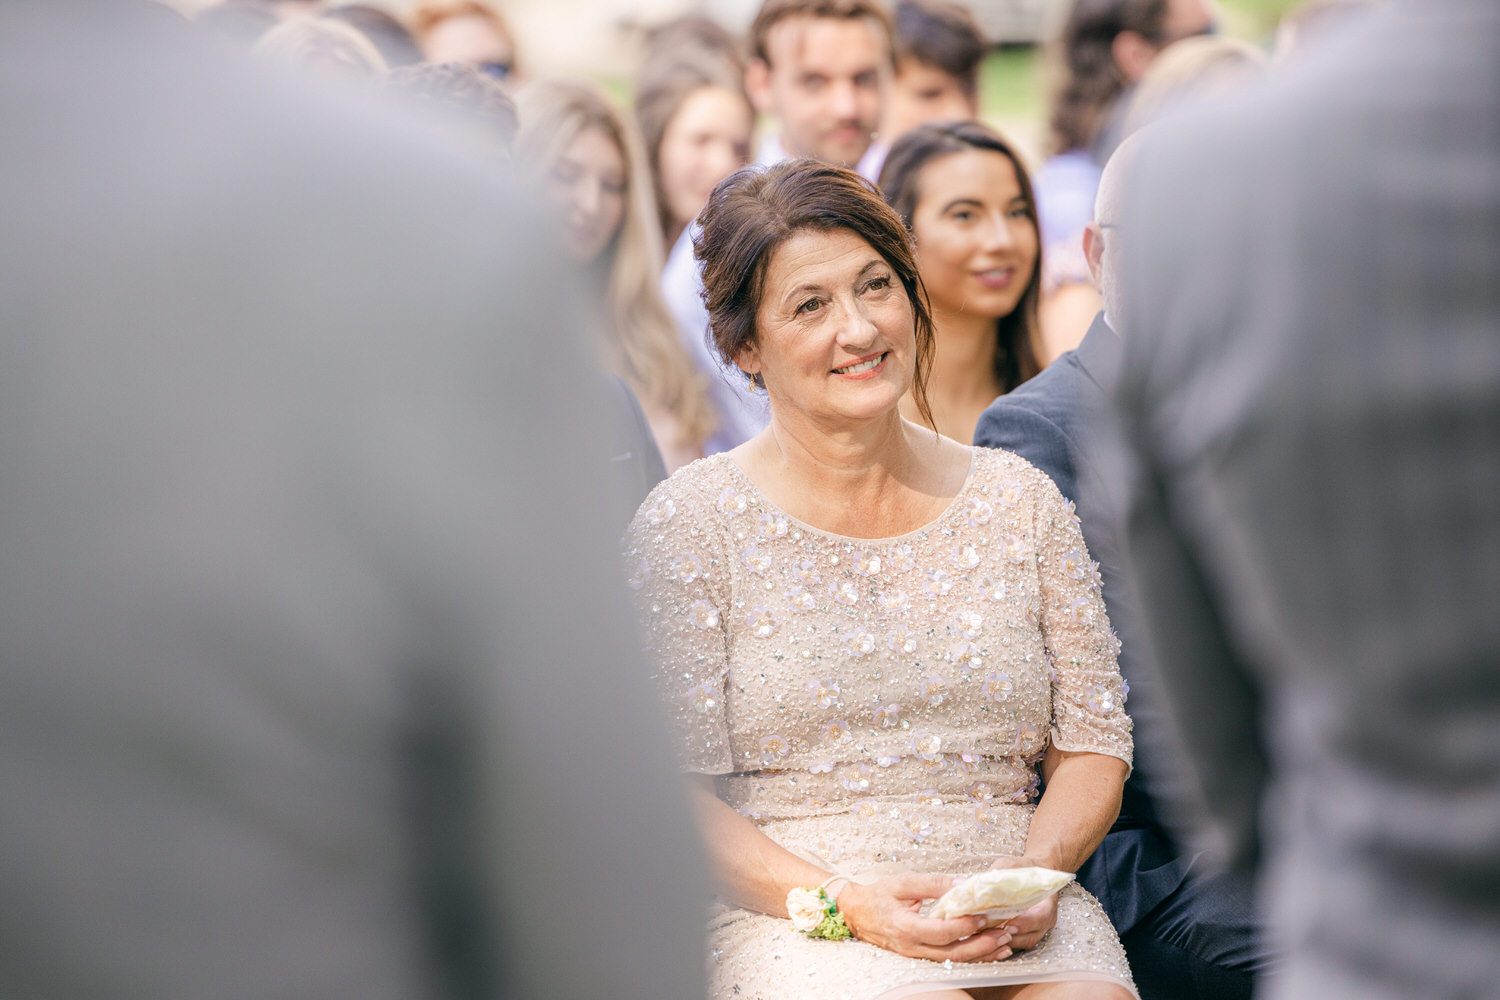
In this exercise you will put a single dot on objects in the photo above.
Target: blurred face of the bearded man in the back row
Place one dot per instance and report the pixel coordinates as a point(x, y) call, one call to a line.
point(826, 83)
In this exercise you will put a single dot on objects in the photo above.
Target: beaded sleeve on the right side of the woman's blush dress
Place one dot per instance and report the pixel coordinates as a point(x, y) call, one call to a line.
point(1088, 692)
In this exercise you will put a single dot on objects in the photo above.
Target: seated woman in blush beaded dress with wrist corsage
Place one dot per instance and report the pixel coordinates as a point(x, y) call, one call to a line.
point(875, 639)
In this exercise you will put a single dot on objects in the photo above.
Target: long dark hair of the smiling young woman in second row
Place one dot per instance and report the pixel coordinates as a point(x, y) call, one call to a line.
point(901, 181)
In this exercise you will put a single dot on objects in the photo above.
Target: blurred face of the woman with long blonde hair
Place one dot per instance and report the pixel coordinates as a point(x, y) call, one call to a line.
point(589, 187)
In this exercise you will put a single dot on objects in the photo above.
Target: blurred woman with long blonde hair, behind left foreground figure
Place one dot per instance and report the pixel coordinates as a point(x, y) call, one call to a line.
point(592, 167)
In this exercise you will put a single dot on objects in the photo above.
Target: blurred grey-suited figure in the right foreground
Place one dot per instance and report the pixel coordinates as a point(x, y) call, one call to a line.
point(1312, 382)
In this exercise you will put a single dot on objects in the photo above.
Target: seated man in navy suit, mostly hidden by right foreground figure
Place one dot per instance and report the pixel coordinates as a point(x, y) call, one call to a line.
point(1187, 935)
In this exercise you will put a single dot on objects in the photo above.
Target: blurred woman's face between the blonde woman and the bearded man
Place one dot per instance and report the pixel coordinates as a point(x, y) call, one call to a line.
point(707, 140)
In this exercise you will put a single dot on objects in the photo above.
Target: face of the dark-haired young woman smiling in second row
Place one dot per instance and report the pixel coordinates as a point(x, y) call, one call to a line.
point(976, 235)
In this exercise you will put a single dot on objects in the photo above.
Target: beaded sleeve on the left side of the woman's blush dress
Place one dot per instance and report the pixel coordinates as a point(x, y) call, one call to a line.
point(680, 578)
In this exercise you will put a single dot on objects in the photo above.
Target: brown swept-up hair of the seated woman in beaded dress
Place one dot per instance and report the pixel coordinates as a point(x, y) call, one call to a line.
point(752, 214)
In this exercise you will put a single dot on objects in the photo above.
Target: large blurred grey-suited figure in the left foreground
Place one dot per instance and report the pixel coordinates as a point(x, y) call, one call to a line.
point(313, 675)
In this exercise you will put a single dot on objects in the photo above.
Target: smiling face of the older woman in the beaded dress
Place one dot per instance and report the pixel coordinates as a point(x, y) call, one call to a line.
point(836, 338)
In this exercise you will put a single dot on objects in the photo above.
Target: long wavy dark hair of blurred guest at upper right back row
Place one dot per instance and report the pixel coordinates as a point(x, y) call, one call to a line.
point(1090, 79)
